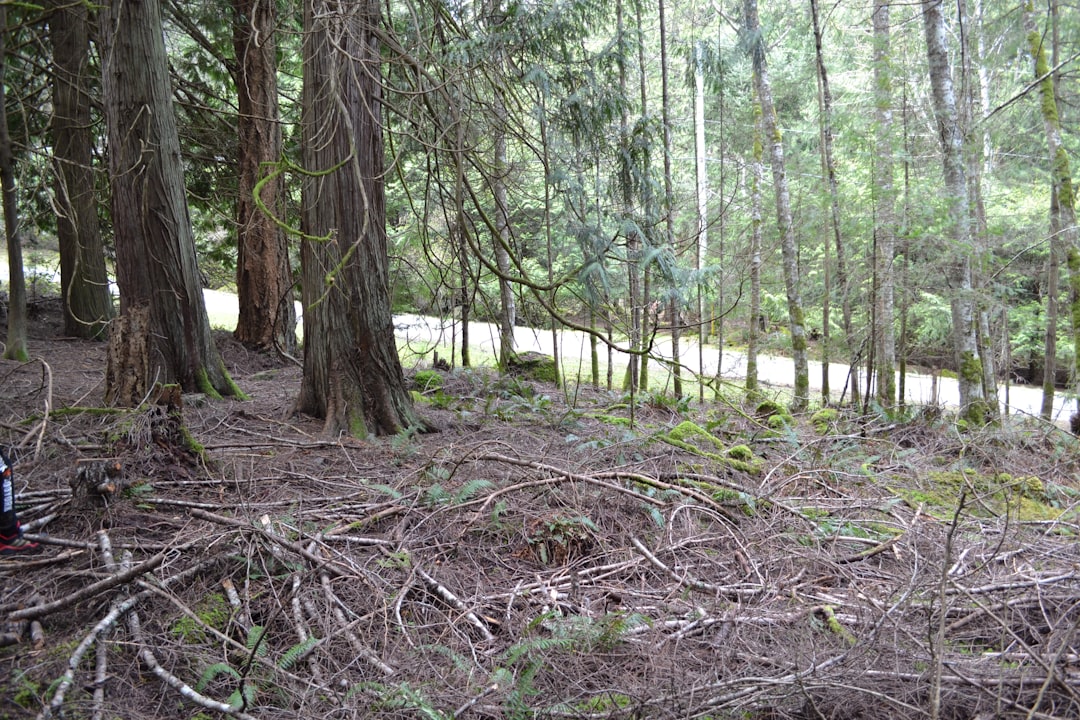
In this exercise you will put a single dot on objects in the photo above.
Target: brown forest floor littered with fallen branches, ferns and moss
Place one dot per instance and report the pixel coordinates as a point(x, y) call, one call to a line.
point(546, 555)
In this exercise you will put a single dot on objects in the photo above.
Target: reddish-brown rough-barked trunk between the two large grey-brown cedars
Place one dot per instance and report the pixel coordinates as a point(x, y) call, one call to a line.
point(264, 278)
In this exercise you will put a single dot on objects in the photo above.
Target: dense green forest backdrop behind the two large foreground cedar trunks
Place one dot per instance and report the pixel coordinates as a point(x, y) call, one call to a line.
point(605, 168)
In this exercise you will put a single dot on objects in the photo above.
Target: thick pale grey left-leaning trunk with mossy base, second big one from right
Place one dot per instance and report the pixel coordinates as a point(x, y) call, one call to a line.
point(966, 355)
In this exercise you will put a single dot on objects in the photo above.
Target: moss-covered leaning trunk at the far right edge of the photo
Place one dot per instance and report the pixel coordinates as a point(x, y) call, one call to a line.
point(1062, 178)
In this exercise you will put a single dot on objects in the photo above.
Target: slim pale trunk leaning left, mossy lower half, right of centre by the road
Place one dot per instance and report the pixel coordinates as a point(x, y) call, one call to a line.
point(788, 244)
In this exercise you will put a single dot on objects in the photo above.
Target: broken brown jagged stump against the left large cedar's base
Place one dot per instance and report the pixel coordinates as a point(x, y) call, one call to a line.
point(127, 375)
